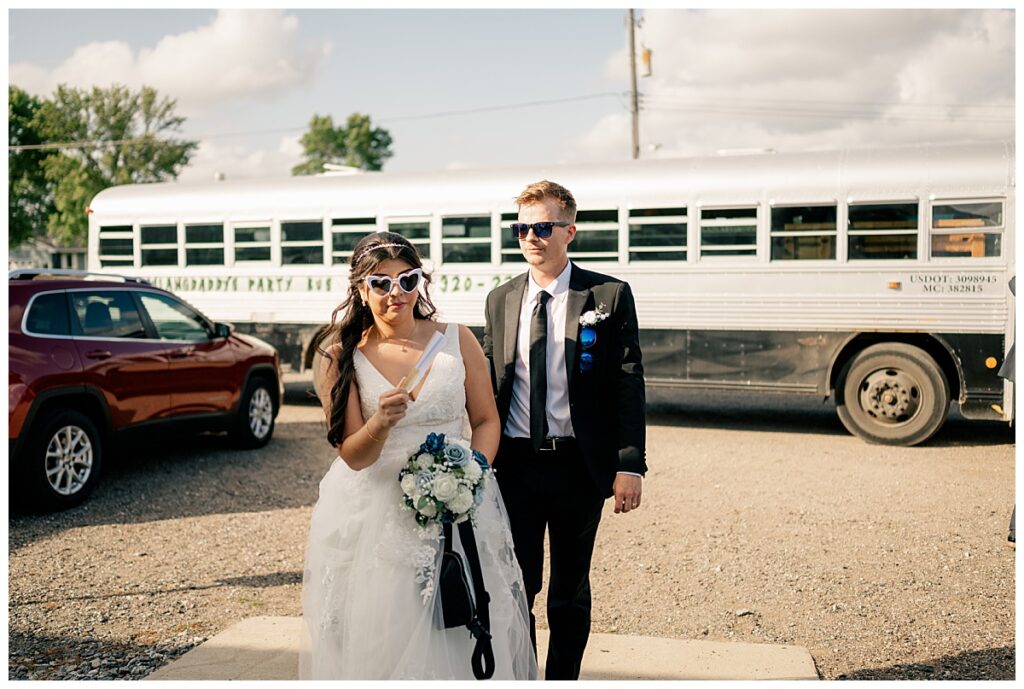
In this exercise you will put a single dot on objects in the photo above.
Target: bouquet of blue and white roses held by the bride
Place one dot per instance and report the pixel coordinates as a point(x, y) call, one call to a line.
point(443, 482)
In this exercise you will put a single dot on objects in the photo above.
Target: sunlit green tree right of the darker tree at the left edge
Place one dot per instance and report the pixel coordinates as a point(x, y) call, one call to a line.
point(120, 138)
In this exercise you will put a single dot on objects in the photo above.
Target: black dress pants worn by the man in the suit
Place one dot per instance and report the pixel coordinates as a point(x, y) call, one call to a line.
point(552, 491)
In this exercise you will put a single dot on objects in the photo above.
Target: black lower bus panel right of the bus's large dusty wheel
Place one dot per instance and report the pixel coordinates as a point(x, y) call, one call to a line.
point(980, 358)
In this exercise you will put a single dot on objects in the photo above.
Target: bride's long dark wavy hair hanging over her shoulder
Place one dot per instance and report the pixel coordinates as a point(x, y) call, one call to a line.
point(358, 318)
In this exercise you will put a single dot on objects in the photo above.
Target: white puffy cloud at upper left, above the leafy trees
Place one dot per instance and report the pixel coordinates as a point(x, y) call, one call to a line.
point(240, 54)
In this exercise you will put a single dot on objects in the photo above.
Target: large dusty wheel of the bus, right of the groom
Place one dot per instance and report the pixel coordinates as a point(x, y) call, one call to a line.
point(893, 395)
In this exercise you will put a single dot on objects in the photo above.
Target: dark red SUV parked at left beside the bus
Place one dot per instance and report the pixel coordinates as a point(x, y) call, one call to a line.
point(95, 356)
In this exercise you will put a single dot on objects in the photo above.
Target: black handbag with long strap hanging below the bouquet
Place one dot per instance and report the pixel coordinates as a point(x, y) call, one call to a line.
point(464, 600)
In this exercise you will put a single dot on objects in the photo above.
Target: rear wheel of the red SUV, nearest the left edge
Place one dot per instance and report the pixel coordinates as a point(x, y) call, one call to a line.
point(63, 460)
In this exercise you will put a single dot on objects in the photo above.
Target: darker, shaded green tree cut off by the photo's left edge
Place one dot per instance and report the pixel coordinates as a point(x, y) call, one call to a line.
point(30, 197)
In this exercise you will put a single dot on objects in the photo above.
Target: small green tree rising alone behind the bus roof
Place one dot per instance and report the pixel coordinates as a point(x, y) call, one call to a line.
point(358, 144)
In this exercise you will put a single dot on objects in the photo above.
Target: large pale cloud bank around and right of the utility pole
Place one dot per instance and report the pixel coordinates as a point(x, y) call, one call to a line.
point(794, 80)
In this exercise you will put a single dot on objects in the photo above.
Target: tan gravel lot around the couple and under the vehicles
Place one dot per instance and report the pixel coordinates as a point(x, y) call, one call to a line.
point(764, 528)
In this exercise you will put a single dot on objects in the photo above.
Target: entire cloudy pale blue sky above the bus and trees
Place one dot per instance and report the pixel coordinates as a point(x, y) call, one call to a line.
point(488, 88)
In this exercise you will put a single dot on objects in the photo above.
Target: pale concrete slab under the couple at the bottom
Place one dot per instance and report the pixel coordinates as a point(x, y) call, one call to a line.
point(267, 649)
